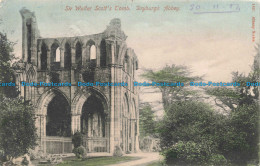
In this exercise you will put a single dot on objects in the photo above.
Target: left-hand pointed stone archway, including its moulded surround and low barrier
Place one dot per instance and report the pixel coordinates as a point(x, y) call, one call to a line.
point(53, 122)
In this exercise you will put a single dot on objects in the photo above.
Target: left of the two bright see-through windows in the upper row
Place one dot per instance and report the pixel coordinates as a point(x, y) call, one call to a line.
point(55, 56)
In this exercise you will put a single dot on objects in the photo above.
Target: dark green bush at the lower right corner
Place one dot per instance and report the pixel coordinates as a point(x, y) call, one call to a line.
point(240, 137)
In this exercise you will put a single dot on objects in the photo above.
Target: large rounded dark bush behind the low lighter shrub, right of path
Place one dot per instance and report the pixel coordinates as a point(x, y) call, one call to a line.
point(189, 121)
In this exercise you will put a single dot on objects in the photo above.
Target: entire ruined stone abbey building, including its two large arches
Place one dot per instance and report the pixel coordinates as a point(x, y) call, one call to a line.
point(107, 116)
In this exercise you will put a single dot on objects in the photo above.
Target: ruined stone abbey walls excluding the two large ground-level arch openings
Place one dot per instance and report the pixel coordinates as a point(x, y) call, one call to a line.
point(102, 57)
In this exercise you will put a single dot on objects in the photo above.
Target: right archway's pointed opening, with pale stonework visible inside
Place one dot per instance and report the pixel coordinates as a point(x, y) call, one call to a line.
point(93, 118)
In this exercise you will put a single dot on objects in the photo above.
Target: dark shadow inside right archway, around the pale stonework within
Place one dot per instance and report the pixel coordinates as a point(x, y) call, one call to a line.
point(92, 106)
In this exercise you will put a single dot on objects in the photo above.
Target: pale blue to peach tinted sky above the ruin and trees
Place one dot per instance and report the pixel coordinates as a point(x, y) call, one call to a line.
point(214, 44)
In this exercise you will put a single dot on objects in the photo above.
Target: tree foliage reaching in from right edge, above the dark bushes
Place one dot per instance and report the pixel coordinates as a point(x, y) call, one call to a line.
point(239, 95)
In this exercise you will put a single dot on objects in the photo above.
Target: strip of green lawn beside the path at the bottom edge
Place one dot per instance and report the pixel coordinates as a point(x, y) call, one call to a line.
point(97, 161)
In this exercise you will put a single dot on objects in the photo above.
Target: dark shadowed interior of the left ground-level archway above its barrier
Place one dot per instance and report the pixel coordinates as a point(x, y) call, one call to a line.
point(58, 121)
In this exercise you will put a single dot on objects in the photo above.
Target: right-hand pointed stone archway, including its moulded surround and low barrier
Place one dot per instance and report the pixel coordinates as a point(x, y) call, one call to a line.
point(90, 116)
